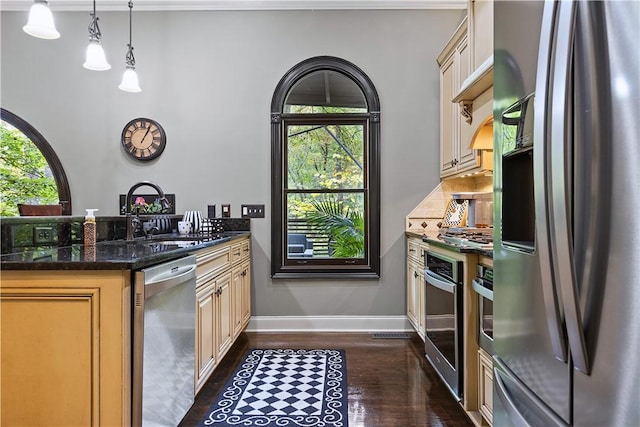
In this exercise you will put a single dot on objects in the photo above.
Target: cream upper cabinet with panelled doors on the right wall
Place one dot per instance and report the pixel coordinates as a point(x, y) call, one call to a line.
point(455, 131)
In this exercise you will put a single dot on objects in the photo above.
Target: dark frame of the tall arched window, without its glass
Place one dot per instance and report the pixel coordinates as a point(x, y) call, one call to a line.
point(281, 265)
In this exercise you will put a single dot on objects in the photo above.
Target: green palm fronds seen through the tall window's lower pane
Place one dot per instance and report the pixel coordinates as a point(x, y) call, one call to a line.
point(343, 226)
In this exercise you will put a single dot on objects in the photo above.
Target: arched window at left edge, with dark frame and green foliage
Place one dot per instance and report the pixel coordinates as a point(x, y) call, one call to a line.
point(31, 175)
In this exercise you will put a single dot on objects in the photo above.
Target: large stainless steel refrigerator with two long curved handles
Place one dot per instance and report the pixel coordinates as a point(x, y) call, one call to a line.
point(567, 213)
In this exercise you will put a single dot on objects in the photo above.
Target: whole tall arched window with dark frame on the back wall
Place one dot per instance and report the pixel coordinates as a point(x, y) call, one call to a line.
point(325, 189)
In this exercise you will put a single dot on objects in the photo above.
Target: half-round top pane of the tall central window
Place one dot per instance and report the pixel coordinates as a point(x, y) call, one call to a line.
point(320, 90)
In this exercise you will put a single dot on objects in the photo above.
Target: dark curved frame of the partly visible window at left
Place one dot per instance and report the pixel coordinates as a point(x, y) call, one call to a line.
point(60, 177)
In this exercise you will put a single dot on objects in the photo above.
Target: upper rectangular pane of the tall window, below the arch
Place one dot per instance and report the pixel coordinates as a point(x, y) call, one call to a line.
point(325, 157)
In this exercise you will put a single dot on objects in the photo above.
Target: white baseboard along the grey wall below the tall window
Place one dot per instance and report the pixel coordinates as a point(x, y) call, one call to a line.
point(363, 324)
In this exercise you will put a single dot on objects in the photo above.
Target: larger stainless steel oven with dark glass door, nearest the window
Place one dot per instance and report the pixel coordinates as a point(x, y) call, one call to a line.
point(443, 323)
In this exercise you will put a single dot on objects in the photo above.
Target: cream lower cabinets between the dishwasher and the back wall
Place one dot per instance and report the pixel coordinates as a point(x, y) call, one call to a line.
point(222, 296)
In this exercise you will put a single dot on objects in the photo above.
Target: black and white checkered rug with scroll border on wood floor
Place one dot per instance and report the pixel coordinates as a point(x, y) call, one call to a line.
point(284, 388)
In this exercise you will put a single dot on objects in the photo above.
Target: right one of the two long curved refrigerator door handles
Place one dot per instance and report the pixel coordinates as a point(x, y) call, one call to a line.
point(562, 242)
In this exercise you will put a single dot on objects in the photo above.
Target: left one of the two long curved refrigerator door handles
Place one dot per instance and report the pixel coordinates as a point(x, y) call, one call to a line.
point(542, 184)
